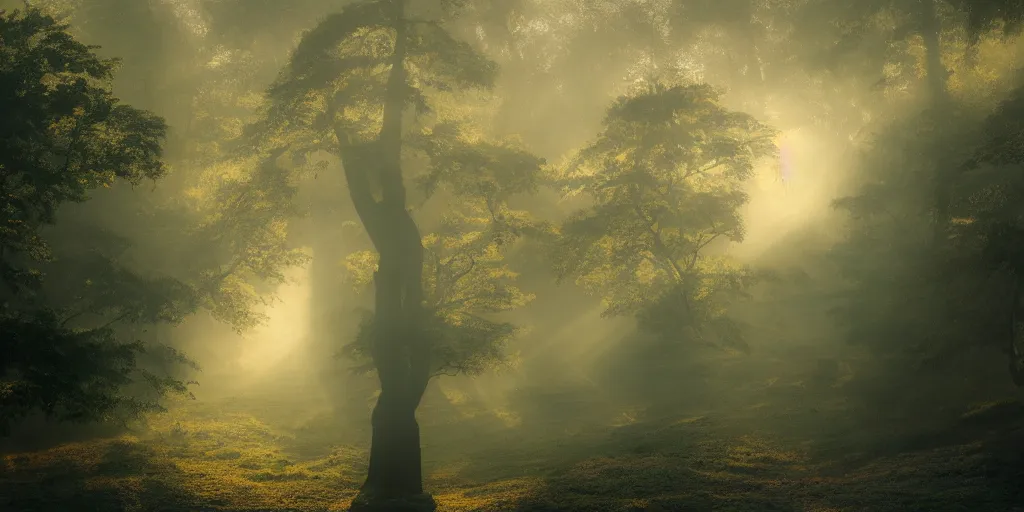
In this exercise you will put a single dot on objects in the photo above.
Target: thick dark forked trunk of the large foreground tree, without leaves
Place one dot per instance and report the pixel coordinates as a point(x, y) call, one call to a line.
point(401, 350)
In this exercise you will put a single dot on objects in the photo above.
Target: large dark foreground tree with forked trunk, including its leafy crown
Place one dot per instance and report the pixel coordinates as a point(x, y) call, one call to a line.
point(348, 92)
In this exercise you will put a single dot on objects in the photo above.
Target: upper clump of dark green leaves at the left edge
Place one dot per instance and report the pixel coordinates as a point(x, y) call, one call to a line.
point(63, 133)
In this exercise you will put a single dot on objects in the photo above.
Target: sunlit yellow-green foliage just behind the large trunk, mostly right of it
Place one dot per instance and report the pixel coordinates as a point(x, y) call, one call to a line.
point(467, 280)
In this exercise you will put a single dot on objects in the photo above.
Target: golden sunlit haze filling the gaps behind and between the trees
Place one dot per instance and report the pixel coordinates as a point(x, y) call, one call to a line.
point(845, 94)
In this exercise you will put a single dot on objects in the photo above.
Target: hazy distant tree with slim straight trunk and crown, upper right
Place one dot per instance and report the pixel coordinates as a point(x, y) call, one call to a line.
point(868, 37)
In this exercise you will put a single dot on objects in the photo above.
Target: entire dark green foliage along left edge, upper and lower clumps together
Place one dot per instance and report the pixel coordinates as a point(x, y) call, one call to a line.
point(63, 136)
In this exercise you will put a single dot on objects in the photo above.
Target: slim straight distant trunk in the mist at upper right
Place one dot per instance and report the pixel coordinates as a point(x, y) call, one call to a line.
point(931, 30)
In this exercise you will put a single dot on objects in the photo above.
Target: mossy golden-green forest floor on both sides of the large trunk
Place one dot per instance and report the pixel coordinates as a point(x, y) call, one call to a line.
point(775, 451)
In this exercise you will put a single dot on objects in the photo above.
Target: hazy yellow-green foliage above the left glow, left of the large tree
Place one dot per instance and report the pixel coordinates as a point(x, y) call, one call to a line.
point(229, 212)
